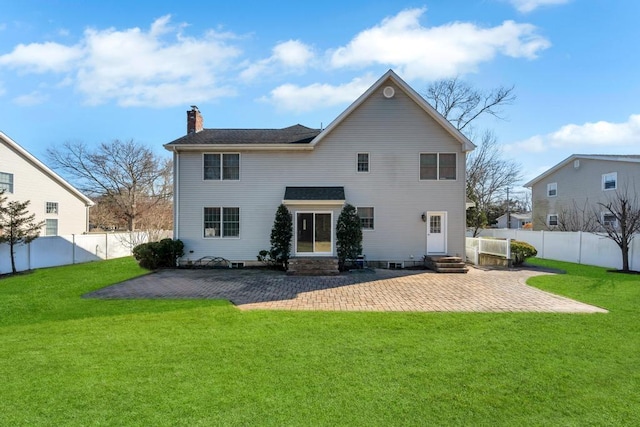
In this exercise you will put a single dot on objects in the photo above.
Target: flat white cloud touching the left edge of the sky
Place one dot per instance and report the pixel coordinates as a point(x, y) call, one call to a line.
point(42, 57)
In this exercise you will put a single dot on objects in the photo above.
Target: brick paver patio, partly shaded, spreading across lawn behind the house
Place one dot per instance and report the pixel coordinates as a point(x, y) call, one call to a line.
point(370, 290)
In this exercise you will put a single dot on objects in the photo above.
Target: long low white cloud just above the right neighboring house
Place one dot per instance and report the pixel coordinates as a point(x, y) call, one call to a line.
point(598, 135)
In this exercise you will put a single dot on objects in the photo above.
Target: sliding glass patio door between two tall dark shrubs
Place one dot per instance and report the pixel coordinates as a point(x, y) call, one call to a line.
point(314, 233)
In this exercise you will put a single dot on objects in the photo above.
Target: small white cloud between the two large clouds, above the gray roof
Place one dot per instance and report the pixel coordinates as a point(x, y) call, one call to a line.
point(292, 55)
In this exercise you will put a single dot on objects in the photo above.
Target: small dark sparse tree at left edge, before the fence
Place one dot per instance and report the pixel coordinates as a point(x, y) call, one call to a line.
point(17, 226)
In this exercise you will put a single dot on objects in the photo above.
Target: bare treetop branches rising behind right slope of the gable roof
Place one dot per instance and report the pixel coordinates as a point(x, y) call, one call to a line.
point(461, 104)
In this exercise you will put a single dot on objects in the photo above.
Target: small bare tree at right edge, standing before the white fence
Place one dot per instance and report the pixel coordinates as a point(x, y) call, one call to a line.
point(621, 220)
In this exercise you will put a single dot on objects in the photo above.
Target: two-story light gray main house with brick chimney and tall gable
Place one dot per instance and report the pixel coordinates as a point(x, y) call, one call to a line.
point(389, 153)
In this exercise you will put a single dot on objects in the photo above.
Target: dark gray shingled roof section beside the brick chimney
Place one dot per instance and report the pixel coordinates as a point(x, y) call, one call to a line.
point(296, 134)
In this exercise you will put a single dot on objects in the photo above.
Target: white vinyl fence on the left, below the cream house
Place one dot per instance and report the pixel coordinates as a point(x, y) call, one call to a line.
point(51, 251)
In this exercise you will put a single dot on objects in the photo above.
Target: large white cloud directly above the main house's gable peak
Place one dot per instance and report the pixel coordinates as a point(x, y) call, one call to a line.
point(403, 43)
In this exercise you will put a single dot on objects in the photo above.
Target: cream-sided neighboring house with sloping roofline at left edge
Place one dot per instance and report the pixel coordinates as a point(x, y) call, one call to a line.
point(64, 209)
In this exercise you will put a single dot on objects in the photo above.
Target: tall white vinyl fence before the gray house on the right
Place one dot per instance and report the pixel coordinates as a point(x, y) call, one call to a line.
point(578, 247)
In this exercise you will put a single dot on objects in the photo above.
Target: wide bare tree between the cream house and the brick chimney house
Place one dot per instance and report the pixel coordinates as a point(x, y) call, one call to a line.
point(127, 176)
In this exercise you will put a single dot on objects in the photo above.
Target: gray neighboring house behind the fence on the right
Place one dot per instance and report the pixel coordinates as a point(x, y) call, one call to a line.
point(566, 196)
